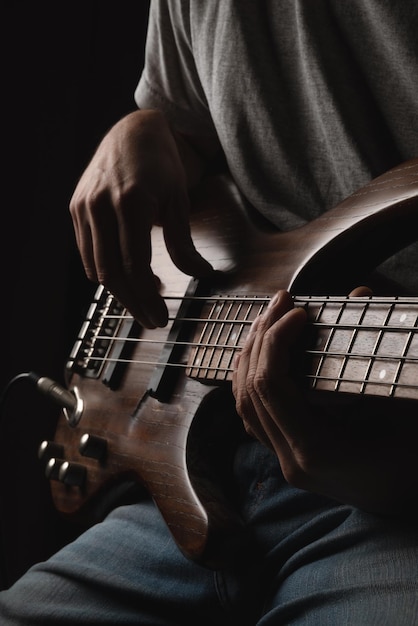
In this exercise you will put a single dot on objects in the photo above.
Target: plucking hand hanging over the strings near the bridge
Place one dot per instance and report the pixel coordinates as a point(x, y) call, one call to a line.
point(136, 179)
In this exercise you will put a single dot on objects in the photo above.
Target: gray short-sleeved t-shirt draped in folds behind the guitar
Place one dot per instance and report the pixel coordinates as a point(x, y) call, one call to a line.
point(308, 99)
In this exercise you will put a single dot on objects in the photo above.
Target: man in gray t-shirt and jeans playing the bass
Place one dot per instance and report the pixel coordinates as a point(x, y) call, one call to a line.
point(299, 97)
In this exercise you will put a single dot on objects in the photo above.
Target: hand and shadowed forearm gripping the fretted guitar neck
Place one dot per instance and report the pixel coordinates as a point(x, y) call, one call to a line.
point(354, 451)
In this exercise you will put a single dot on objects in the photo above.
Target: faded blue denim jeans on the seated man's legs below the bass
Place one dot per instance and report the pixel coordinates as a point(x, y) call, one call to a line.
point(309, 561)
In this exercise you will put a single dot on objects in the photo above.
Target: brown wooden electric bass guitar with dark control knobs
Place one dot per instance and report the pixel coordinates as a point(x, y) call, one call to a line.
point(152, 407)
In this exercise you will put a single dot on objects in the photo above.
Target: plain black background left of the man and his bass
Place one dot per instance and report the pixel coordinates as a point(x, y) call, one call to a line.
point(69, 73)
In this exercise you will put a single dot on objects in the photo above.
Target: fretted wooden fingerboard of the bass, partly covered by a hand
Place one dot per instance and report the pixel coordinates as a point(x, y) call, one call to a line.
point(352, 345)
